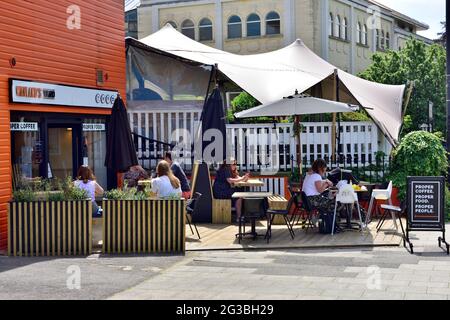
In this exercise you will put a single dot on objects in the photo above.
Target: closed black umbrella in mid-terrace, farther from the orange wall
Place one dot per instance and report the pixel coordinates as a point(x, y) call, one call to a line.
point(213, 118)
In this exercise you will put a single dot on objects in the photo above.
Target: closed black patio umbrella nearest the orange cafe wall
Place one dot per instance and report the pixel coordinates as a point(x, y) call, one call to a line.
point(120, 152)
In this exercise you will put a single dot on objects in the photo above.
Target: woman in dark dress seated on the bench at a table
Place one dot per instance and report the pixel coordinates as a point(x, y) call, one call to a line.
point(226, 176)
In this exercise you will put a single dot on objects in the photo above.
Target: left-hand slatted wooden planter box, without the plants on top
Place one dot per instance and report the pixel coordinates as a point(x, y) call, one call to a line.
point(50, 228)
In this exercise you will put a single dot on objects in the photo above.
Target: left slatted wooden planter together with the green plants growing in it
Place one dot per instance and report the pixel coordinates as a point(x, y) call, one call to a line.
point(49, 219)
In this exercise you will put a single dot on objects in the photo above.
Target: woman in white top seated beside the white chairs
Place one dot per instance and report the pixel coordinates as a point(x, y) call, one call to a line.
point(314, 186)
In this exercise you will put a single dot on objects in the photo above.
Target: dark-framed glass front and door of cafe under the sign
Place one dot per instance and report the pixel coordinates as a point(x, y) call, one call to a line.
point(55, 145)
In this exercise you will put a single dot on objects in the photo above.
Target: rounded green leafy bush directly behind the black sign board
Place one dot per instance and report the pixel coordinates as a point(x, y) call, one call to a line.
point(420, 153)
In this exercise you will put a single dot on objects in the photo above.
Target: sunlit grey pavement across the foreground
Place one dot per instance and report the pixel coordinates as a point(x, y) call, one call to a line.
point(346, 273)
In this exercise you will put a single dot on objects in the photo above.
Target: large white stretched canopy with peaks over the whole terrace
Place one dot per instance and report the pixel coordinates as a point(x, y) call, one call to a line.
point(270, 76)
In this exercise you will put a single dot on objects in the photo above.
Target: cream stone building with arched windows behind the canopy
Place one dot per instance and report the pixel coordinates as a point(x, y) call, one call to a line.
point(344, 32)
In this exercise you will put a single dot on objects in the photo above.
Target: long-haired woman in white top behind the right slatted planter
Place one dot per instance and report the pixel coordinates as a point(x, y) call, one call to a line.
point(166, 185)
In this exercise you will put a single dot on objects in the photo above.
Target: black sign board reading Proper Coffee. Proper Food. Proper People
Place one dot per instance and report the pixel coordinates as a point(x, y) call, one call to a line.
point(425, 196)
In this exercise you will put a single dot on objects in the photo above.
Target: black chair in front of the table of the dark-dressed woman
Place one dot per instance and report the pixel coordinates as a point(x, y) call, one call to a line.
point(252, 209)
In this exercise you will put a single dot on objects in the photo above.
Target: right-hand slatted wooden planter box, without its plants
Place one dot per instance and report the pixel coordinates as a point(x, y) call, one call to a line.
point(144, 226)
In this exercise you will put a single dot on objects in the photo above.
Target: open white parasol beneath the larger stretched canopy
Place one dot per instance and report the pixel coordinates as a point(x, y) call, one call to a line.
point(296, 105)
